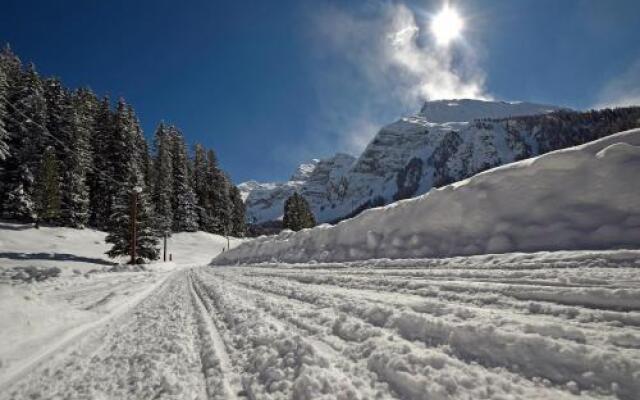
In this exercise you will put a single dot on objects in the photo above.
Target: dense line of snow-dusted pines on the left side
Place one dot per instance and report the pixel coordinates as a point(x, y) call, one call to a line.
point(72, 159)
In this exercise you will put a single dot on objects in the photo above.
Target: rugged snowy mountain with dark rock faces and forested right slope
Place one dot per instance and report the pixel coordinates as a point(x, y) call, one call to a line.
point(447, 141)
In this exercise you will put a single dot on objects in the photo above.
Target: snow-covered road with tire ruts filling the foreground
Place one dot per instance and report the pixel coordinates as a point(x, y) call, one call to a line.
point(546, 325)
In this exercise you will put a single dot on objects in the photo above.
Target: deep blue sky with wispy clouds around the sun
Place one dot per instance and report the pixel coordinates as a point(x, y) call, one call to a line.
point(272, 84)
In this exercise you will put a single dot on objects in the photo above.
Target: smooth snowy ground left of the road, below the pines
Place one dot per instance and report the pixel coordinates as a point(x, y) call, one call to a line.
point(38, 319)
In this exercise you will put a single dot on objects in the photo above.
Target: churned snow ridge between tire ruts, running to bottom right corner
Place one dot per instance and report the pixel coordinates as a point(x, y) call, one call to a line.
point(594, 368)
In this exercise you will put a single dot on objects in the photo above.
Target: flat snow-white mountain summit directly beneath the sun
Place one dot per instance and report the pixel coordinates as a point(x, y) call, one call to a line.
point(464, 110)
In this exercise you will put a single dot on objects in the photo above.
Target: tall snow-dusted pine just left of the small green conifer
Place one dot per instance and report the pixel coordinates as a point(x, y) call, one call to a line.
point(26, 133)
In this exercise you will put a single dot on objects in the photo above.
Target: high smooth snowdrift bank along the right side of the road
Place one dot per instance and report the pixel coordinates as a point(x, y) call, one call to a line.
point(585, 197)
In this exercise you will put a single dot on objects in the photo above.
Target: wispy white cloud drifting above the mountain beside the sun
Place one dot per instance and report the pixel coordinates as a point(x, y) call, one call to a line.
point(390, 64)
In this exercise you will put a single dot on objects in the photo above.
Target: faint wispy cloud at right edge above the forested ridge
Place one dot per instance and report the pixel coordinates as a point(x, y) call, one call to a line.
point(623, 90)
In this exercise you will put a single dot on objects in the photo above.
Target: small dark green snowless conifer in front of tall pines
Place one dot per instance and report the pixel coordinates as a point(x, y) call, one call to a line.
point(47, 191)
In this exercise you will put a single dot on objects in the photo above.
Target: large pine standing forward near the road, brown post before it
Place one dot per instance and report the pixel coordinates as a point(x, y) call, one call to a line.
point(127, 176)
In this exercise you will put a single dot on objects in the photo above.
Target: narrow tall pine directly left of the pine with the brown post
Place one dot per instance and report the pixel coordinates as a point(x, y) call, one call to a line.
point(100, 200)
